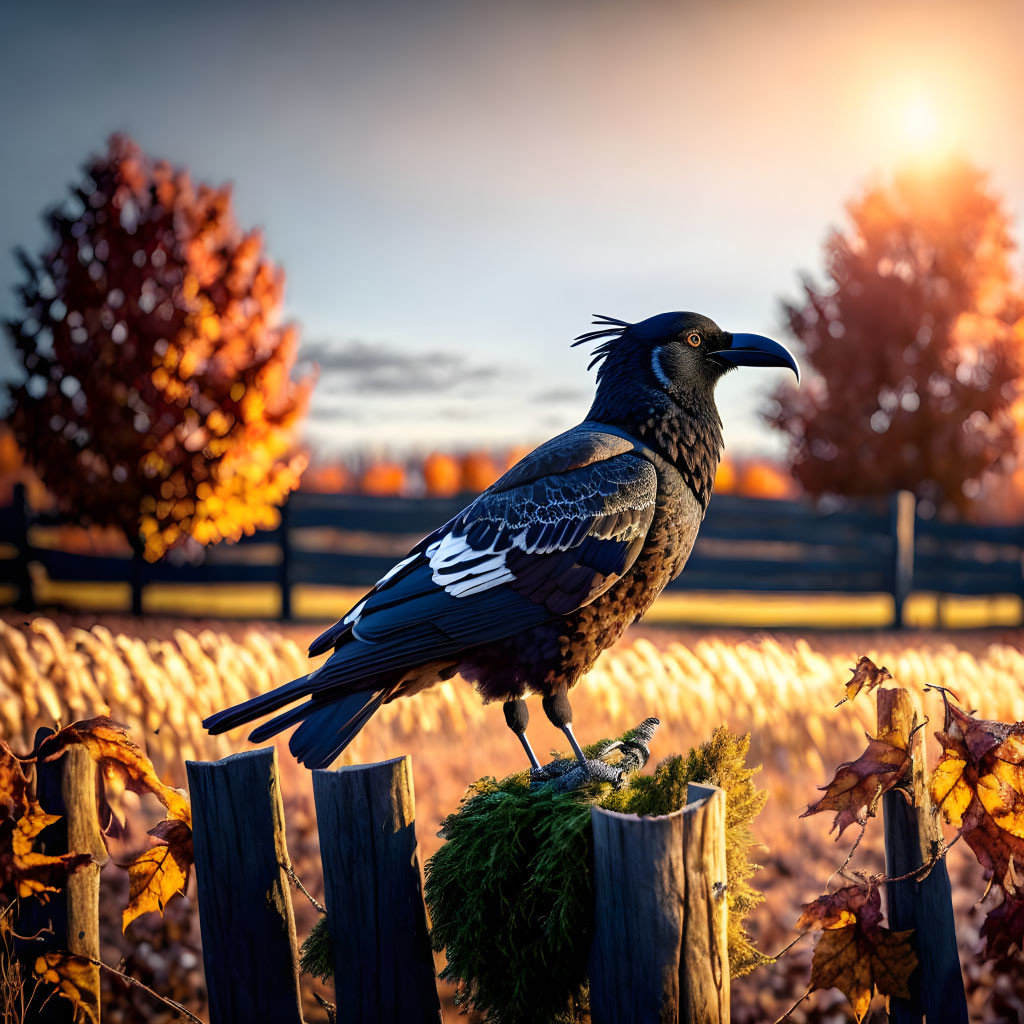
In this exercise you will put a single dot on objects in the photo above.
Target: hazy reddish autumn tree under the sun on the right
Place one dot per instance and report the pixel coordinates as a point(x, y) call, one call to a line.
point(914, 345)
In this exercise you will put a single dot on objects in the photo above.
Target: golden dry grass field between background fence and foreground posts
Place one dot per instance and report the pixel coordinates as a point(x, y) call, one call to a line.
point(163, 676)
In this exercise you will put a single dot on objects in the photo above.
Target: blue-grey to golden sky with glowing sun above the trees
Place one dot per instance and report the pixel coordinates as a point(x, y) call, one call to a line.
point(454, 188)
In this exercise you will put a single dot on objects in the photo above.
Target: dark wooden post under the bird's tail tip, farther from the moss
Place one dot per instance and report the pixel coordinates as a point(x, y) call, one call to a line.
point(245, 904)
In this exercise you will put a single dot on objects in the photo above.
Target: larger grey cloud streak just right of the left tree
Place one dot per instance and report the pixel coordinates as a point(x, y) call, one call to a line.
point(362, 368)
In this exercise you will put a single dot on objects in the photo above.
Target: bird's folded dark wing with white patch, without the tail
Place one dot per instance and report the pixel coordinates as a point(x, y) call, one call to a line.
point(535, 546)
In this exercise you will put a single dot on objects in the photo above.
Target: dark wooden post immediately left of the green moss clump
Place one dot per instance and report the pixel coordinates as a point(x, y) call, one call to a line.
point(373, 887)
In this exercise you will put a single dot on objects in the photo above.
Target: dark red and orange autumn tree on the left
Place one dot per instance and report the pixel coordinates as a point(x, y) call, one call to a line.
point(158, 395)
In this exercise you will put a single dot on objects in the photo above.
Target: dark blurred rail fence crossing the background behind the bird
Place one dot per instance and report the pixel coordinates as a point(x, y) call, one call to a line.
point(746, 544)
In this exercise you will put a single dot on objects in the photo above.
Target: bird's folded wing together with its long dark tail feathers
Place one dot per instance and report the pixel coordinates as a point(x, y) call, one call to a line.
point(551, 536)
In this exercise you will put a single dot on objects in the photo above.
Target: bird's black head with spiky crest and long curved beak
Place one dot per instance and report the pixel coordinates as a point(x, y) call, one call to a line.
point(681, 355)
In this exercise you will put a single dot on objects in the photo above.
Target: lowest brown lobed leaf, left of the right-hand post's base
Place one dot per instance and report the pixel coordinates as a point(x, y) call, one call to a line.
point(856, 953)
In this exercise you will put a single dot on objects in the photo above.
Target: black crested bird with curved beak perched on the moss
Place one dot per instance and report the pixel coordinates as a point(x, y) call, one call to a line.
point(522, 591)
